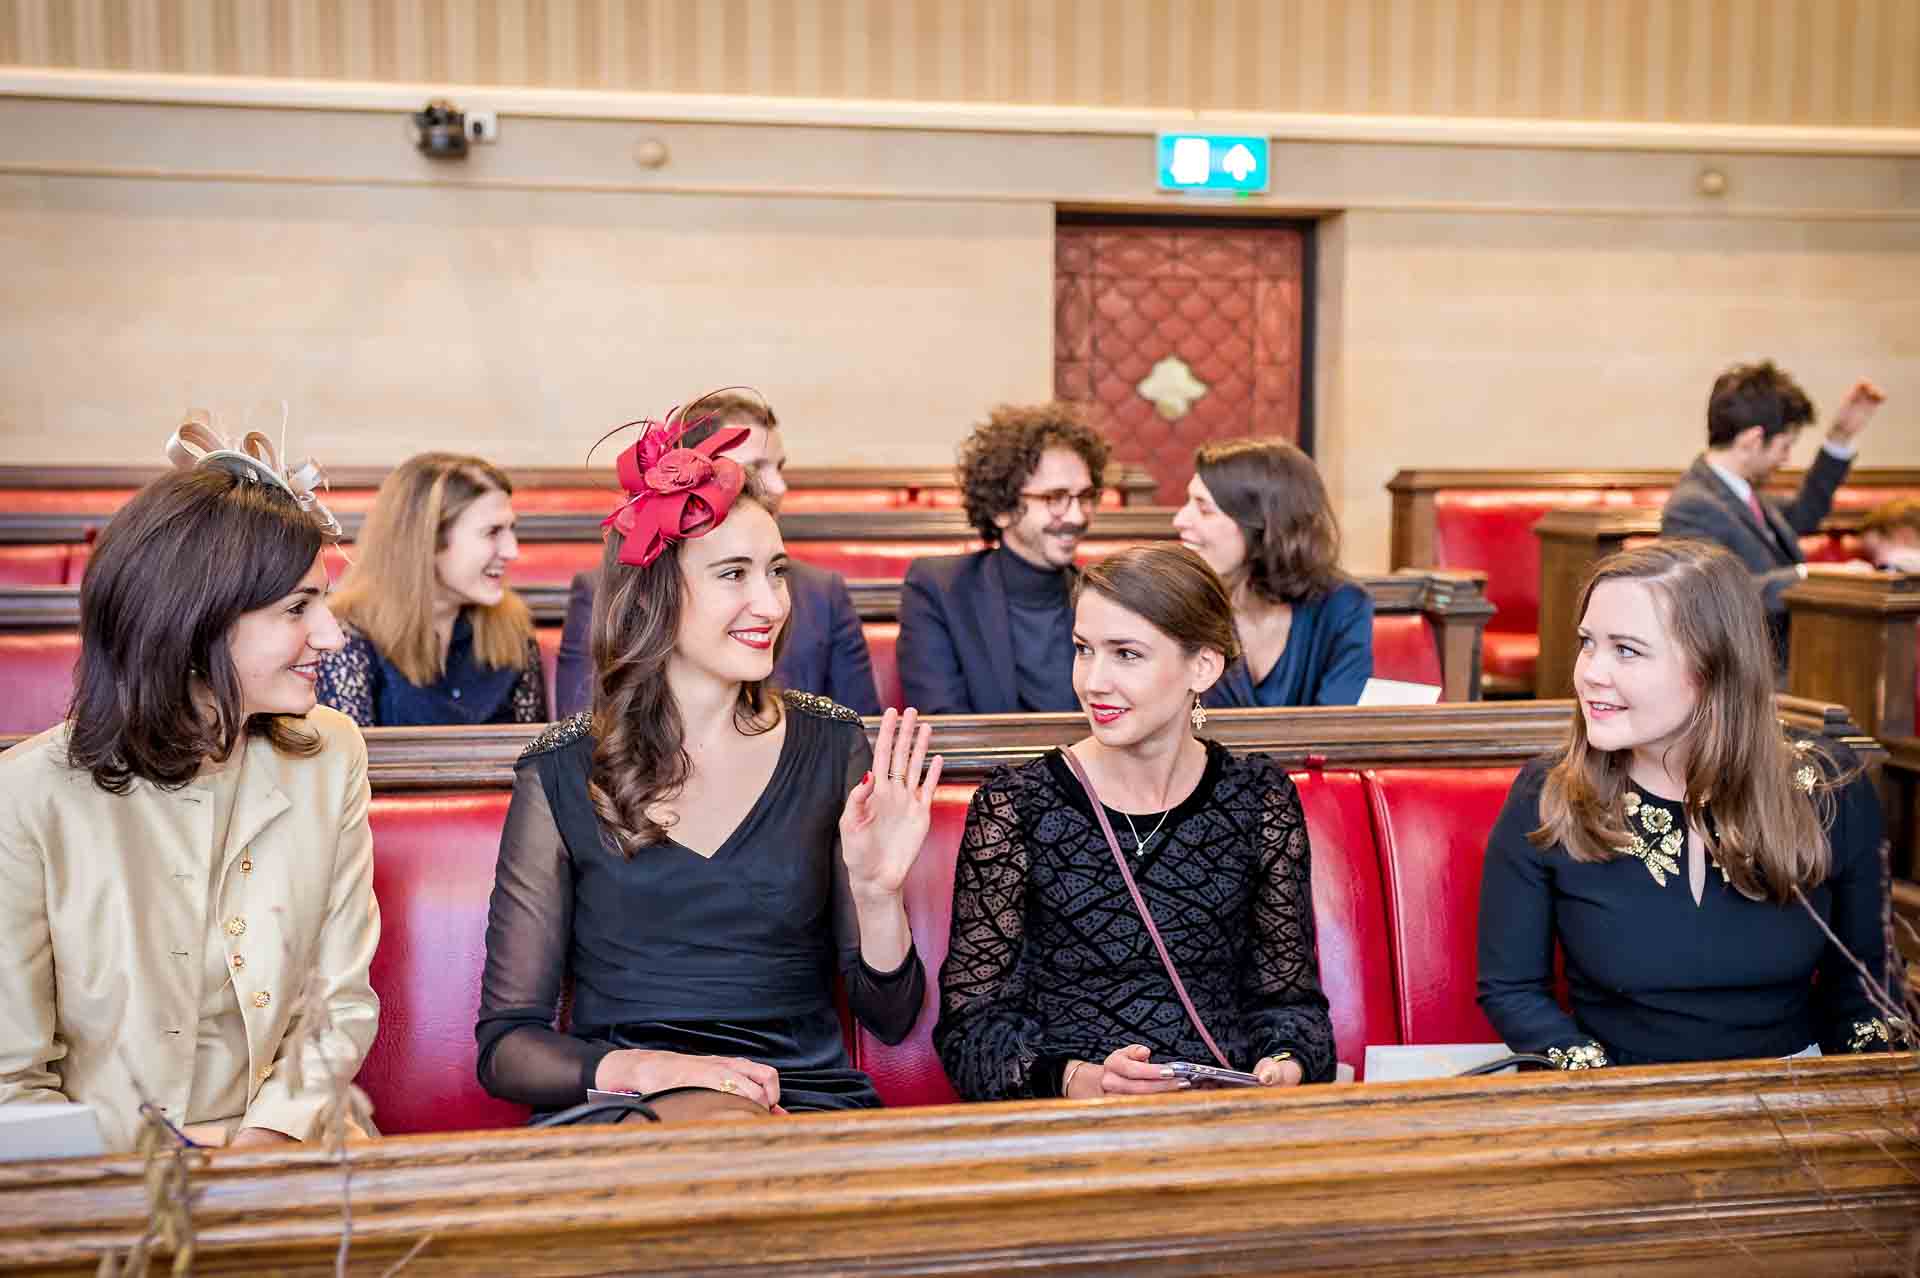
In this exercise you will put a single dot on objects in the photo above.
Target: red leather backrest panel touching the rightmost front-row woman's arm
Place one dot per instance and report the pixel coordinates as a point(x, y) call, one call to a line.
point(1431, 826)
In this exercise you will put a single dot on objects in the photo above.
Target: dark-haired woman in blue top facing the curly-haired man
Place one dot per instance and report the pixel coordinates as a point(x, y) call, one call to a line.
point(1259, 515)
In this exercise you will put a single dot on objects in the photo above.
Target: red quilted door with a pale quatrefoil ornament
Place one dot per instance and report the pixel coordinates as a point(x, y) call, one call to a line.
point(1178, 335)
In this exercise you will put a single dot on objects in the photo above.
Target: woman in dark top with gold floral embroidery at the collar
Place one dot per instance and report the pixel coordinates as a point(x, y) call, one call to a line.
point(1681, 843)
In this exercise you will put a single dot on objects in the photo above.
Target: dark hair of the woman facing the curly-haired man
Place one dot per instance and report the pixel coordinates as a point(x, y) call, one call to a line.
point(1276, 494)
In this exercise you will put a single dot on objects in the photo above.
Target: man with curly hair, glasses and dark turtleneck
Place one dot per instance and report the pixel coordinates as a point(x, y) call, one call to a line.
point(994, 632)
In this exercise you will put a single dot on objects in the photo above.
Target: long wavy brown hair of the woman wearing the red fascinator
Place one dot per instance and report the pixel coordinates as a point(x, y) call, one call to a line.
point(640, 751)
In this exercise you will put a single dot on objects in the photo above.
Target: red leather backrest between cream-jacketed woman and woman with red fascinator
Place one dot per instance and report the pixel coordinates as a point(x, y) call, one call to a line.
point(433, 874)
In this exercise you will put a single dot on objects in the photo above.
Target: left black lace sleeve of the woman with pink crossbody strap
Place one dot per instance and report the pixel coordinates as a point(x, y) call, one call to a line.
point(988, 1039)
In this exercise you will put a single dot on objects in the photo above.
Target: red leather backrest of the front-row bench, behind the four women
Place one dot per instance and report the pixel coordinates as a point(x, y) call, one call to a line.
point(1397, 884)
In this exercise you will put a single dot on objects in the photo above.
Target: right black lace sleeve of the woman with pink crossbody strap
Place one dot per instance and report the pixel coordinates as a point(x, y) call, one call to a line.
point(1280, 989)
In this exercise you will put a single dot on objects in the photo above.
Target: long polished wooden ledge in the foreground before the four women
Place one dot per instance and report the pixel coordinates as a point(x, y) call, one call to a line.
point(1771, 1168)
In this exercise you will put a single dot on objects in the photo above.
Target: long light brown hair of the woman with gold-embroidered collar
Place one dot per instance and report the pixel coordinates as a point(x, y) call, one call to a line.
point(1739, 761)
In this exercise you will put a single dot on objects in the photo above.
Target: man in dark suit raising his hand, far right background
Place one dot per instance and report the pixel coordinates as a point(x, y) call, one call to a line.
point(1754, 417)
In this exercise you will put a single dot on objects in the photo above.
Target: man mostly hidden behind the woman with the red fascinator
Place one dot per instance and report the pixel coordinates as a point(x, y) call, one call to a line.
point(827, 651)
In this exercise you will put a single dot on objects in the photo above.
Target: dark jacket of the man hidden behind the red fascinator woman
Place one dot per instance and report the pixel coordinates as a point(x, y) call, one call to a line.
point(827, 651)
